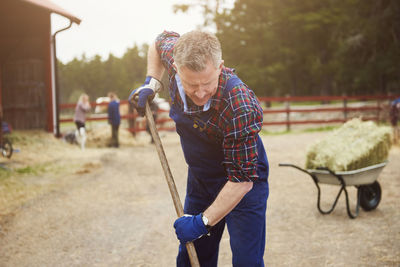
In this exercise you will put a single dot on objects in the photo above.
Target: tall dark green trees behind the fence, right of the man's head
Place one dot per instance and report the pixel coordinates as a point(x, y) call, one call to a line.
point(310, 47)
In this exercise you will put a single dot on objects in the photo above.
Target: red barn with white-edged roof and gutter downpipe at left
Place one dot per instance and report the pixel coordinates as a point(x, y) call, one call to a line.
point(28, 91)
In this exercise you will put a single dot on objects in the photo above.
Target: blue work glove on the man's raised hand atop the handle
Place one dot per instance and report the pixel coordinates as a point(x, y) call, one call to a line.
point(144, 93)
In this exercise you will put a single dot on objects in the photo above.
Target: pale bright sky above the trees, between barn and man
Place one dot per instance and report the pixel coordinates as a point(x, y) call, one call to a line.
point(113, 26)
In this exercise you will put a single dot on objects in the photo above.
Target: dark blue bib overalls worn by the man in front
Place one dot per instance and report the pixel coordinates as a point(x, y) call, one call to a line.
point(206, 176)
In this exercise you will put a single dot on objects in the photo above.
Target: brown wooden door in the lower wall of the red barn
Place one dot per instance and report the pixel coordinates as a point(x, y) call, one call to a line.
point(24, 93)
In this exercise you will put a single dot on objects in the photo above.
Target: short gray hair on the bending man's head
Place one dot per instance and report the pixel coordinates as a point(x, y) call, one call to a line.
point(195, 49)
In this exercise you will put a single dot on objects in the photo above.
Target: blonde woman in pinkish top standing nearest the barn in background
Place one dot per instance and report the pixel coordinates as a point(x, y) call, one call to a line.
point(81, 109)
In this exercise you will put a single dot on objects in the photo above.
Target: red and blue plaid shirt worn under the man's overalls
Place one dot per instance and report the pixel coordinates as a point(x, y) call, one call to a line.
point(236, 122)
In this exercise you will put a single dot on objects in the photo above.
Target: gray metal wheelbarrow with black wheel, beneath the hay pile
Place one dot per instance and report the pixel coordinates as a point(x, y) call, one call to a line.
point(369, 191)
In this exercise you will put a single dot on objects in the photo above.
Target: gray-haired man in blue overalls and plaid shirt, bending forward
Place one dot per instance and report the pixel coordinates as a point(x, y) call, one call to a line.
point(218, 119)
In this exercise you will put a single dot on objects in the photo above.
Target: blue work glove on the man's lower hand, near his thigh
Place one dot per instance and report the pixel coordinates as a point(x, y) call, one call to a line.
point(189, 228)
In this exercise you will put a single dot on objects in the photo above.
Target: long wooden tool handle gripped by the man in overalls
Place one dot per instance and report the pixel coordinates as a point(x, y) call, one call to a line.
point(170, 180)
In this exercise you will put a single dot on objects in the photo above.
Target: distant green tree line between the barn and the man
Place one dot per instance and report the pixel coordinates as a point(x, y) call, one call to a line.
point(97, 77)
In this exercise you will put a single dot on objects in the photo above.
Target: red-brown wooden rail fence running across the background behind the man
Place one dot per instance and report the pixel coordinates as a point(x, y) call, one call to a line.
point(279, 111)
